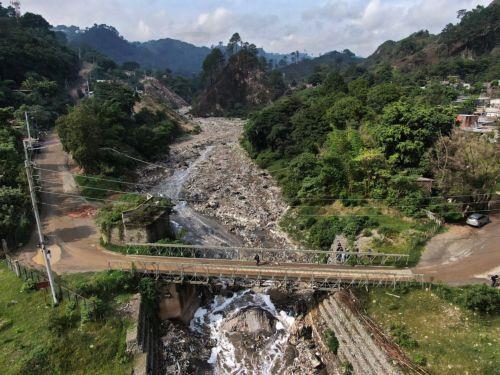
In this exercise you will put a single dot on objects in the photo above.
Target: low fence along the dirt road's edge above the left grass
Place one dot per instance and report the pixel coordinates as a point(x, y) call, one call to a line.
point(27, 273)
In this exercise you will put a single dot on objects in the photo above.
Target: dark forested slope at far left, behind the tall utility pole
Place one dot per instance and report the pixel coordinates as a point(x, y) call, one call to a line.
point(32, 80)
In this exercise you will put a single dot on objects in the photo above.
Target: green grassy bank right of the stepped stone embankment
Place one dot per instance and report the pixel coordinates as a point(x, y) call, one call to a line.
point(442, 336)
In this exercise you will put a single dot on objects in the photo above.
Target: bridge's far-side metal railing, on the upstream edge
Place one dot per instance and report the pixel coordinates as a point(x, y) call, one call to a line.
point(281, 255)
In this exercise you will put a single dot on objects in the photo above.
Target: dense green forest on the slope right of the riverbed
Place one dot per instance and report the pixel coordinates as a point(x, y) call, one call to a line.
point(355, 148)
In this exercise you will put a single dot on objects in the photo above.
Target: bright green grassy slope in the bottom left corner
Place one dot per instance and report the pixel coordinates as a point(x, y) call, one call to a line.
point(29, 345)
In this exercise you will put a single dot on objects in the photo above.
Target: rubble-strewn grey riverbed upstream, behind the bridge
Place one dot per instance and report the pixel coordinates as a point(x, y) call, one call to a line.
point(225, 199)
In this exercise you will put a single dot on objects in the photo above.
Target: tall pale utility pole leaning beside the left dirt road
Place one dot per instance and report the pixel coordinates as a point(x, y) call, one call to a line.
point(27, 164)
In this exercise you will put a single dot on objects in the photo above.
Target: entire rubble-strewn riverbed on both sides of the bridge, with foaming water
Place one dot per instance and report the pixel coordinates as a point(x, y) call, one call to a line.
point(223, 198)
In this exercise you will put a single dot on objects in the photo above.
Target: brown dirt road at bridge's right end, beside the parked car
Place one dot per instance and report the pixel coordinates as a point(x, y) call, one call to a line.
point(463, 254)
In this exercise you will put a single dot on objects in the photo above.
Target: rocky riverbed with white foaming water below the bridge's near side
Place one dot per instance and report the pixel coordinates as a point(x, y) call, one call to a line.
point(244, 332)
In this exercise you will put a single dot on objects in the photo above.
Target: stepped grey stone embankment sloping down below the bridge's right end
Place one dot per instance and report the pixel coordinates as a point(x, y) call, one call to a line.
point(362, 344)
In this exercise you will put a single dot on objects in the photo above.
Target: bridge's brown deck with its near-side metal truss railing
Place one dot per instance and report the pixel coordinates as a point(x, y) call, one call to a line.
point(243, 275)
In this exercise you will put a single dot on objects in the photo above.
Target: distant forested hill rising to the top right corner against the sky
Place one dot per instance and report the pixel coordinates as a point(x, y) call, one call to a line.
point(469, 44)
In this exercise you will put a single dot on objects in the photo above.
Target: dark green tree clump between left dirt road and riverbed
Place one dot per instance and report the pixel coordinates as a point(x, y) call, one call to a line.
point(103, 132)
